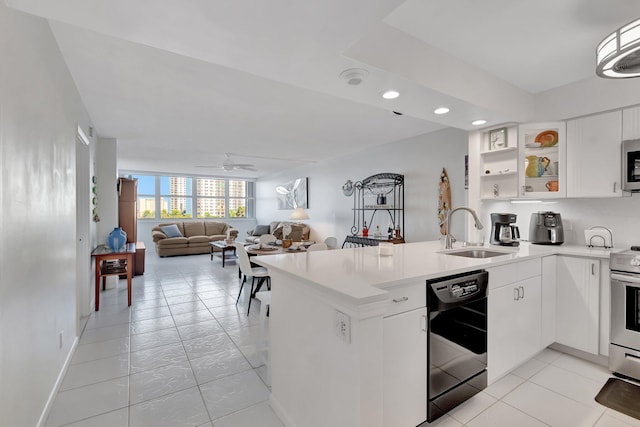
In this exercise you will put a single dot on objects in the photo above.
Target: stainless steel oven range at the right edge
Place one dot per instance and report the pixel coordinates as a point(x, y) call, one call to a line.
point(624, 350)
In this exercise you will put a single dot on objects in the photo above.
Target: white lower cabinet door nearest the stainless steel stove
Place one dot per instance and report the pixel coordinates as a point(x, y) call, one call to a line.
point(578, 305)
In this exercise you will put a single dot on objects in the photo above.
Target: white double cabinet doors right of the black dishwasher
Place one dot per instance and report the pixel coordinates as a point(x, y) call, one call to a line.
point(514, 321)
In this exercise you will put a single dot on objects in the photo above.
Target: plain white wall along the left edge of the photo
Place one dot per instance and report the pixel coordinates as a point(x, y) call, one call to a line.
point(39, 114)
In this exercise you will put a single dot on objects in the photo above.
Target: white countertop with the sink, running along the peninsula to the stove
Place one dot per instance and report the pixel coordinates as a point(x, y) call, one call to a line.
point(360, 274)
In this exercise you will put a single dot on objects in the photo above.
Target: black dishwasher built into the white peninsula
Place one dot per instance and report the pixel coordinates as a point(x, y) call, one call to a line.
point(457, 340)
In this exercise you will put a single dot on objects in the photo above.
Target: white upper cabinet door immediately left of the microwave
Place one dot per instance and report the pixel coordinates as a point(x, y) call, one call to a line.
point(593, 155)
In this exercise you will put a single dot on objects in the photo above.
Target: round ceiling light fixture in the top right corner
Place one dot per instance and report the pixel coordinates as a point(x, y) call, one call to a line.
point(618, 55)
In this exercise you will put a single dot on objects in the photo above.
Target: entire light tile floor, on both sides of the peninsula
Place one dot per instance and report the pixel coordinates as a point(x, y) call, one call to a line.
point(185, 355)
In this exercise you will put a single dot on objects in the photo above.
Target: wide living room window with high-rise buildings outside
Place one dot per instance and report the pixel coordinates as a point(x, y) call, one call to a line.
point(174, 197)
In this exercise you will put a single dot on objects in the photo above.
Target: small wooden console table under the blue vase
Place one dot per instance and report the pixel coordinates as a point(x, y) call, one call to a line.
point(109, 263)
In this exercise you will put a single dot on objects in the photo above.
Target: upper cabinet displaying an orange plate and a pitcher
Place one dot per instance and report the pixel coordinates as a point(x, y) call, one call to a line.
point(542, 149)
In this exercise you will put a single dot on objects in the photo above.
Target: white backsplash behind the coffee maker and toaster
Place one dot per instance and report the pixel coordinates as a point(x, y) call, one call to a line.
point(620, 215)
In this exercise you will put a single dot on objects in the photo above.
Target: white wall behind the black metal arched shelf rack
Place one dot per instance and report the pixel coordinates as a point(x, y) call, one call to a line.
point(419, 159)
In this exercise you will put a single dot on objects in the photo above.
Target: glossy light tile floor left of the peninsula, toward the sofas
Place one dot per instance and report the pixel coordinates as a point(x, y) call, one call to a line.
point(183, 355)
